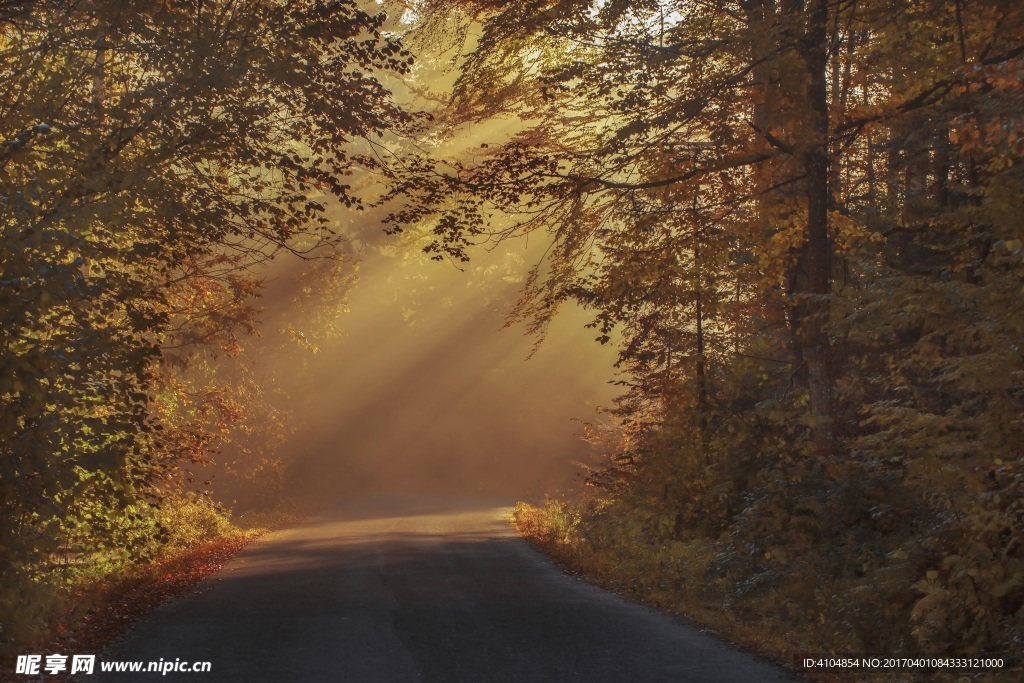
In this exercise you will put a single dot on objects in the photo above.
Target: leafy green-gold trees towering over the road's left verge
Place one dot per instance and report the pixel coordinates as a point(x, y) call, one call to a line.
point(150, 148)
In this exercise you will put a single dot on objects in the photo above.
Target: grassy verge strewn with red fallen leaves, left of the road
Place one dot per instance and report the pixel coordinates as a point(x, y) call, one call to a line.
point(86, 602)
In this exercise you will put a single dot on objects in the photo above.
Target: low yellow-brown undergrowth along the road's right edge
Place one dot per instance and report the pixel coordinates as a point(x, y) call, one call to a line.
point(777, 599)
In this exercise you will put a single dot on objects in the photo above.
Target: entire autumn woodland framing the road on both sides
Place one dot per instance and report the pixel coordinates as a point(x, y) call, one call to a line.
point(799, 221)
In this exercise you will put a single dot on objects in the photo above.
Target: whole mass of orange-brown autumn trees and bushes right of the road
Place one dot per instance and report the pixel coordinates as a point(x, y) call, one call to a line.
point(801, 223)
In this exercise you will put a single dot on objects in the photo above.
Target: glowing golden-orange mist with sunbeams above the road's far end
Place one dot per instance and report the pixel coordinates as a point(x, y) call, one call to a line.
point(424, 388)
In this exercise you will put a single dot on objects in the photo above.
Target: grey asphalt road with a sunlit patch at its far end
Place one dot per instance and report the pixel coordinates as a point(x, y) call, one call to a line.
point(416, 589)
